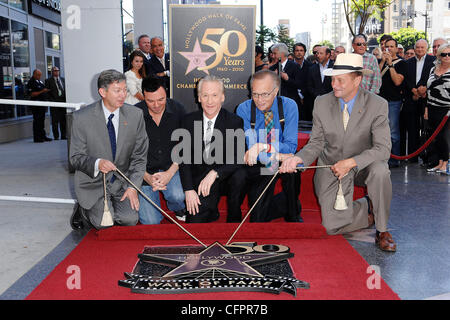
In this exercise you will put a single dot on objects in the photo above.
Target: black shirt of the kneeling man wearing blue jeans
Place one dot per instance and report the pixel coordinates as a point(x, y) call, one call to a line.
point(159, 142)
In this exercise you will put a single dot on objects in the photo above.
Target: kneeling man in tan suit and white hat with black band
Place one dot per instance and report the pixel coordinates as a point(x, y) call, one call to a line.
point(351, 134)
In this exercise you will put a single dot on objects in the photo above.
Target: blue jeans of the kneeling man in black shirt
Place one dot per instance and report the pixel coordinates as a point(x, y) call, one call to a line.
point(174, 195)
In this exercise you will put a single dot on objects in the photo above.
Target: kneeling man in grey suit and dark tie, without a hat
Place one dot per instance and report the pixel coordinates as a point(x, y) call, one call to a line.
point(106, 135)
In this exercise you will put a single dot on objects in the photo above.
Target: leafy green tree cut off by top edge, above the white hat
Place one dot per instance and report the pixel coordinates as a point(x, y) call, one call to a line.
point(363, 9)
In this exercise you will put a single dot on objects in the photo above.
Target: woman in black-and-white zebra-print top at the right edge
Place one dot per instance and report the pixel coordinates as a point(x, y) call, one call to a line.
point(438, 104)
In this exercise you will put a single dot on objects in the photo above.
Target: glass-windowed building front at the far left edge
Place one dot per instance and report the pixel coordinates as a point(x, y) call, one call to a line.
point(30, 38)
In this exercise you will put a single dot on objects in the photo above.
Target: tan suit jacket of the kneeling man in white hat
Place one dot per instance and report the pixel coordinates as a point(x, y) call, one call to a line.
point(367, 138)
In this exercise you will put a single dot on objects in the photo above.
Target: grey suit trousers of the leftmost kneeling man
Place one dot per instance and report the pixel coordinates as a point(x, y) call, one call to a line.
point(121, 211)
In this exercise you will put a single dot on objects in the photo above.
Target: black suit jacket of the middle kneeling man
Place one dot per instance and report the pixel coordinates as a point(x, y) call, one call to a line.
point(191, 173)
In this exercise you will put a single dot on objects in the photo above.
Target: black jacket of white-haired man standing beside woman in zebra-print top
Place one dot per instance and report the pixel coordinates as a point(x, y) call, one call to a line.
point(410, 77)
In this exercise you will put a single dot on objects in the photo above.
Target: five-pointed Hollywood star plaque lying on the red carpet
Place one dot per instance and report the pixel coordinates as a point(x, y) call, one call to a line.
point(215, 257)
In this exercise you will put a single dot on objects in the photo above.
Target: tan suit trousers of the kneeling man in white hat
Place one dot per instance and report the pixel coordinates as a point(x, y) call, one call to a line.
point(376, 177)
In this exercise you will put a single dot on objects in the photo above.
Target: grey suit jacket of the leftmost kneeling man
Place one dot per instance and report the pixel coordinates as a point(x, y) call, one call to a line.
point(90, 141)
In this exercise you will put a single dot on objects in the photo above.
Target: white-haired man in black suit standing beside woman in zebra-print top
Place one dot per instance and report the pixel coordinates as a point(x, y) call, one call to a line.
point(415, 87)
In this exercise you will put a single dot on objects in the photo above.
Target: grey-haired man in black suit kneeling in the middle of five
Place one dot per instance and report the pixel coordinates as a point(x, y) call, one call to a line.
point(208, 160)
